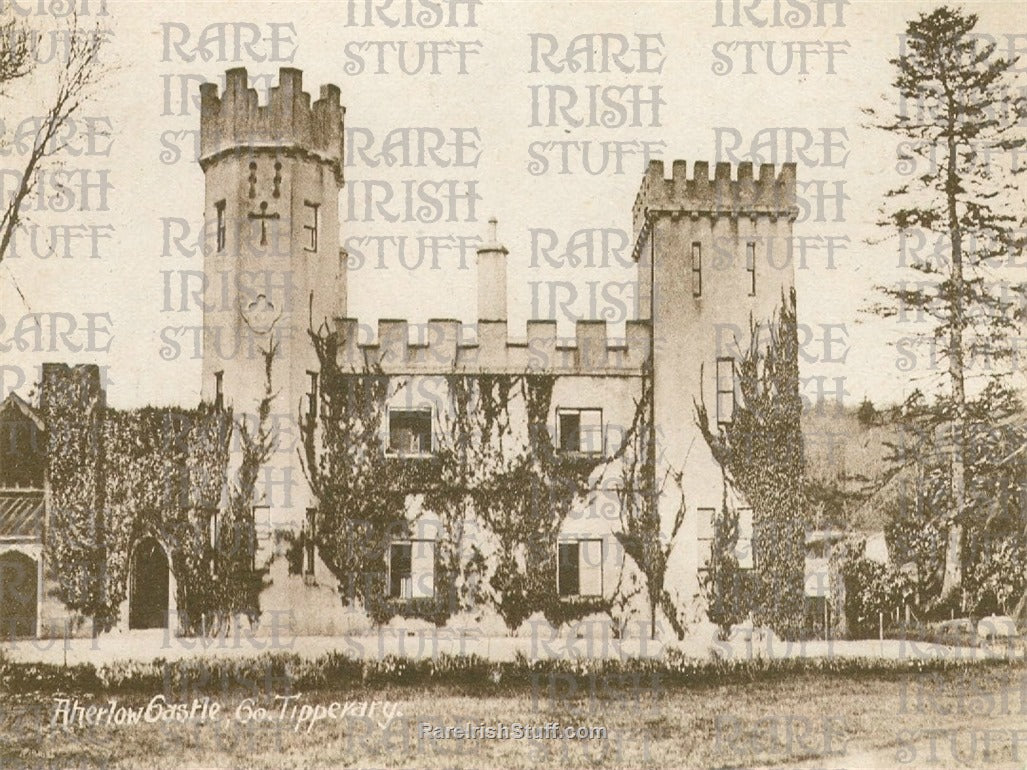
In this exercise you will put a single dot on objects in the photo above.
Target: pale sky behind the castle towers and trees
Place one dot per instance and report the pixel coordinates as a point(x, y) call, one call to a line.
point(142, 101)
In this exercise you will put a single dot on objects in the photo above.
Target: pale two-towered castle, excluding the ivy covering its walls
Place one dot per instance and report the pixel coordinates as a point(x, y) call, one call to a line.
point(712, 256)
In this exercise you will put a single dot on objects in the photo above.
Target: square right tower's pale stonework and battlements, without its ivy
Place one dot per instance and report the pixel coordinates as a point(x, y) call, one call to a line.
point(714, 260)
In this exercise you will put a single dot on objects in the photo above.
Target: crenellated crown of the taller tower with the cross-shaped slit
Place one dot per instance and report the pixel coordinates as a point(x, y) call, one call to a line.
point(237, 122)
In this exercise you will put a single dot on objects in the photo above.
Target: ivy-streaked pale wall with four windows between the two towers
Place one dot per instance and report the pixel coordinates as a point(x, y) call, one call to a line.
point(496, 493)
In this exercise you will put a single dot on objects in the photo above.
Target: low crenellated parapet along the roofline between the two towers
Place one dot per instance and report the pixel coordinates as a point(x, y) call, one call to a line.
point(452, 348)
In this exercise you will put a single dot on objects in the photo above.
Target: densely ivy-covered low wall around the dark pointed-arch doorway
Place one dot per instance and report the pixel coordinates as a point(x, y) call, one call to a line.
point(119, 477)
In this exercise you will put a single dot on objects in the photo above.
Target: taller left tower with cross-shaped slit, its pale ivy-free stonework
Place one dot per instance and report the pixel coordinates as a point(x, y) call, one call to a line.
point(273, 263)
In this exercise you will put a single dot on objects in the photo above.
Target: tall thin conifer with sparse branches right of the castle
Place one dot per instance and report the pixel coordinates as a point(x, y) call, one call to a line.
point(963, 129)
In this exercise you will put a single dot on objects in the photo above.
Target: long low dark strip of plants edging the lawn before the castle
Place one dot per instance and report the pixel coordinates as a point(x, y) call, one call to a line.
point(281, 673)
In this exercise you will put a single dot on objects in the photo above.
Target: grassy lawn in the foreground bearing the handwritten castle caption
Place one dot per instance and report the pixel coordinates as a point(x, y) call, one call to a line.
point(968, 718)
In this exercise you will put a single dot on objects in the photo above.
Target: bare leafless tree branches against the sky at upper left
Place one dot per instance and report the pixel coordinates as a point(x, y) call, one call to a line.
point(78, 74)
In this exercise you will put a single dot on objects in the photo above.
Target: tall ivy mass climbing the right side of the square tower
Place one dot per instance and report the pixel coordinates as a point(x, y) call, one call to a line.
point(762, 456)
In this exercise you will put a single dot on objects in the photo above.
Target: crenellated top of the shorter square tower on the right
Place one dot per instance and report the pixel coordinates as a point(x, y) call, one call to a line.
point(744, 196)
